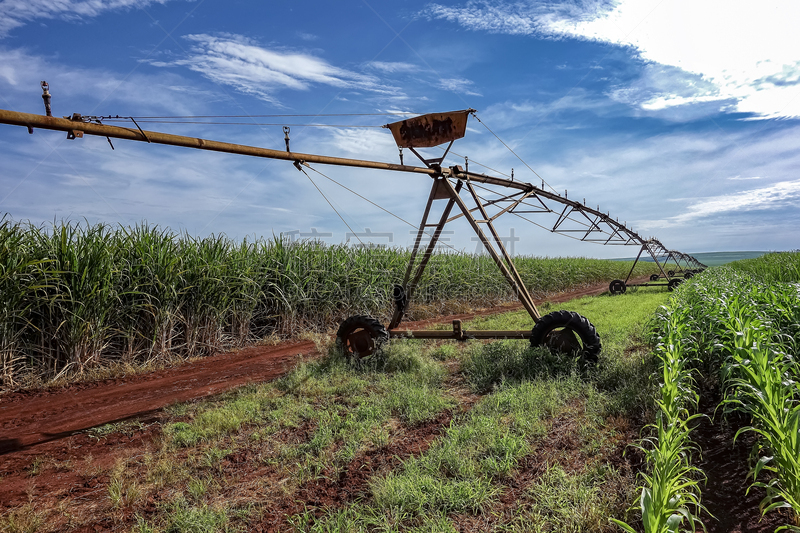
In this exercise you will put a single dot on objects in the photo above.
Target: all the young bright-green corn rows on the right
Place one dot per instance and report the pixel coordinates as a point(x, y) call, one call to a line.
point(740, 323)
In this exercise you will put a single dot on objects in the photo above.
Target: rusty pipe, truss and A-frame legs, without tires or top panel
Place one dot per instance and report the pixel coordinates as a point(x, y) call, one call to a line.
point(475, 197)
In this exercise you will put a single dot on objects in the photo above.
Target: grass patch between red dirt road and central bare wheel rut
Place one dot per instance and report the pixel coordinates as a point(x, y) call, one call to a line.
point(344, 411)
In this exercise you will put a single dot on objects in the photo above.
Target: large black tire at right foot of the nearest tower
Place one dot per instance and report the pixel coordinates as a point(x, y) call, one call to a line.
point(550, 331)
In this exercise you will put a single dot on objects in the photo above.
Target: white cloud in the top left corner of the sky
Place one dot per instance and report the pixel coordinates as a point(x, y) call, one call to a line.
point(16, 13)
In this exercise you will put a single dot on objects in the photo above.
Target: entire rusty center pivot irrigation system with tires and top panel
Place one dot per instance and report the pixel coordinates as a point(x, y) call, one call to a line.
point(361, 336)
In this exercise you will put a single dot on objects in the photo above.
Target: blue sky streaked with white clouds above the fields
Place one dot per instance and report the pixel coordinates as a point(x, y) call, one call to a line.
point(679, 117)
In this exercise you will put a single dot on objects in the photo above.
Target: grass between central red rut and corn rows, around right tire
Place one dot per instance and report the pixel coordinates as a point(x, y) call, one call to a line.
point(467, 468)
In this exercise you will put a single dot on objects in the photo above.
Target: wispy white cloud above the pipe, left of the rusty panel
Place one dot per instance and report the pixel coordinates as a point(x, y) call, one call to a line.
point(239, 62)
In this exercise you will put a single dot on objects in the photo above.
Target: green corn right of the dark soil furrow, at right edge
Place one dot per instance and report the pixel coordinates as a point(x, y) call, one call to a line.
point(750, 324)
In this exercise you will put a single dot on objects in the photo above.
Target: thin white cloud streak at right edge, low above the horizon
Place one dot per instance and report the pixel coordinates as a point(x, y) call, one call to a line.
point(780, 195)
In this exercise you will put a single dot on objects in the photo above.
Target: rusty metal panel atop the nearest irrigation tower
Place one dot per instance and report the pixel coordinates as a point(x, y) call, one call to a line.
point(429, 130)
